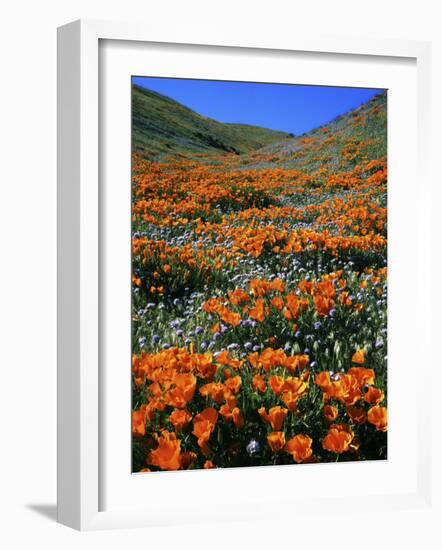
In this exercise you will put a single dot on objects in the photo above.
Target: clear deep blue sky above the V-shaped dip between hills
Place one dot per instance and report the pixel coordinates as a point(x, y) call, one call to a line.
point(287, 107)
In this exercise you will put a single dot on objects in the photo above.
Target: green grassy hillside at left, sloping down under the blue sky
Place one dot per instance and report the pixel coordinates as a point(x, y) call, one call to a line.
point(164, 128)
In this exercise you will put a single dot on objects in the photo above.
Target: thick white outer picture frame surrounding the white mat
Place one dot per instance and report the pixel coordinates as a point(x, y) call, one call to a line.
point(79, 263)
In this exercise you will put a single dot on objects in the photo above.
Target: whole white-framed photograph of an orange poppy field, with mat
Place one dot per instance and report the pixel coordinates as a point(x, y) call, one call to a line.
point(240, 225)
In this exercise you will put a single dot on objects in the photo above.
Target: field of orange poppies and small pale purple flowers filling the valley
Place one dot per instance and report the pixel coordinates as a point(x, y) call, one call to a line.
point(259, 295)
